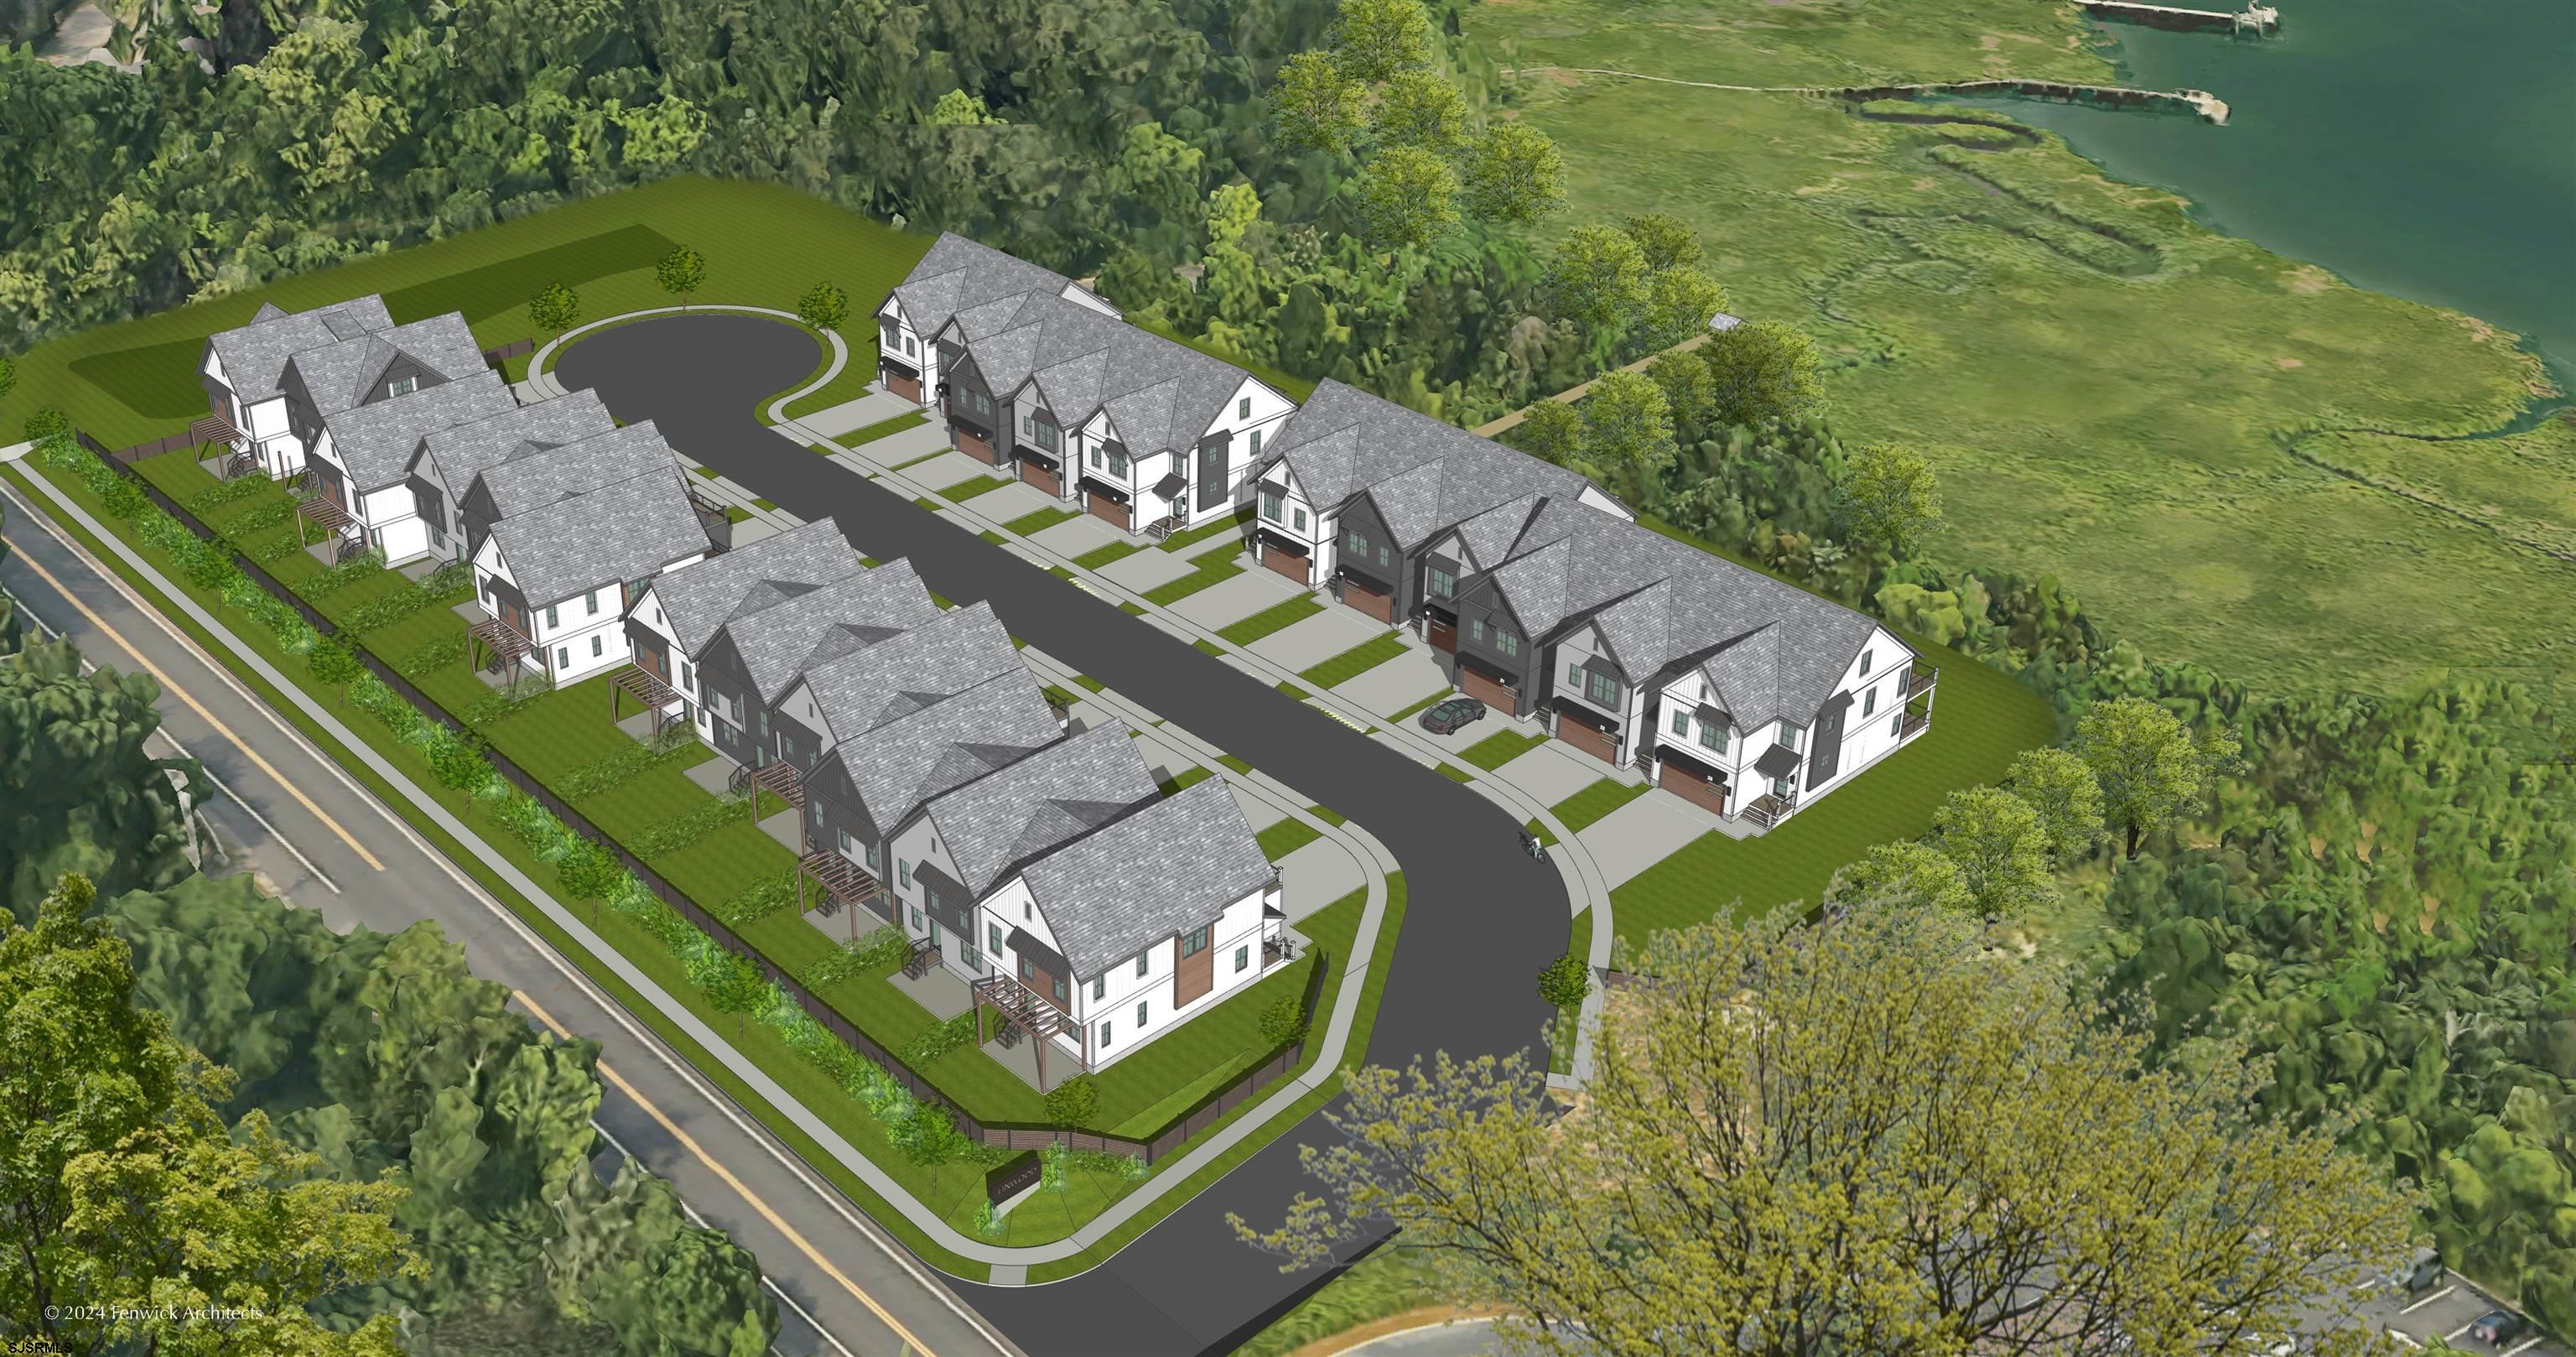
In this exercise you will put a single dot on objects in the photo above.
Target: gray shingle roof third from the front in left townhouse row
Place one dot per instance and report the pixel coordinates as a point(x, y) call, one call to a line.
point(949, 745)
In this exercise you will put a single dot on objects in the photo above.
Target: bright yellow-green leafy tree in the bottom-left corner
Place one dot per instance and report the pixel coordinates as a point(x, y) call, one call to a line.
point(125, 1188)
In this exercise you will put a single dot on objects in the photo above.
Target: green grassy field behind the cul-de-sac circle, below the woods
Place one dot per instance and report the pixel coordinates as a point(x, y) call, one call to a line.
point(764, 248)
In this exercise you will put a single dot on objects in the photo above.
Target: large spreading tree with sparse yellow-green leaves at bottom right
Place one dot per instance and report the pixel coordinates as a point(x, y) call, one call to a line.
point(1998, 1168)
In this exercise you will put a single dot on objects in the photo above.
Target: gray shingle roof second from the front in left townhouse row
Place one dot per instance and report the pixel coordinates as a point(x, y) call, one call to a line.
point(1039, 805)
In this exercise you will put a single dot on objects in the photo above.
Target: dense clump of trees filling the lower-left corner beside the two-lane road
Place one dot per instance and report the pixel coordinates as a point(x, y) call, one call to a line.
point(357, 1129)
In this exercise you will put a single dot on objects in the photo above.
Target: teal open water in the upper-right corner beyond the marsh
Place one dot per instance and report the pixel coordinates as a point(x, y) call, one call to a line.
point(2418, 148)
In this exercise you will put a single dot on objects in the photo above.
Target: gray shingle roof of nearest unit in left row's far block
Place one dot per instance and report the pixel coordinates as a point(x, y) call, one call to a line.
point(609, 537)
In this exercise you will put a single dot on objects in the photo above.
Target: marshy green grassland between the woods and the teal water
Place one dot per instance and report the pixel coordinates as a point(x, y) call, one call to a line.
point(2103, 385)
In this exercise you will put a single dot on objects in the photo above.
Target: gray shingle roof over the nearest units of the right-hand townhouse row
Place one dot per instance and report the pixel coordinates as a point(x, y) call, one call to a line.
point(1665, 604)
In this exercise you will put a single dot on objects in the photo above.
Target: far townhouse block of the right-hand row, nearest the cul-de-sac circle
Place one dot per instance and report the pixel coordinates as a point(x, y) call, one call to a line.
point(1050, 385)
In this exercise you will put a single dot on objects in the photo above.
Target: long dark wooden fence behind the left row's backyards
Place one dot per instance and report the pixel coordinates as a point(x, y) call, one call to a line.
point(993, 1134)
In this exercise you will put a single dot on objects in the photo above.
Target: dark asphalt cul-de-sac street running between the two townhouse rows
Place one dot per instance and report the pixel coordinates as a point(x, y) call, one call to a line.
point(1480, 915)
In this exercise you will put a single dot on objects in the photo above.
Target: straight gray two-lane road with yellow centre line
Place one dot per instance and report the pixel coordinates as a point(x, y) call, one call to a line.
point(292, 818)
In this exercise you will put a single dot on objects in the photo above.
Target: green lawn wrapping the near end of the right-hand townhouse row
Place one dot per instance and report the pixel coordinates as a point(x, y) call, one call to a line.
point(1980, 722)
